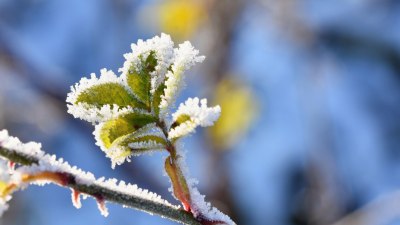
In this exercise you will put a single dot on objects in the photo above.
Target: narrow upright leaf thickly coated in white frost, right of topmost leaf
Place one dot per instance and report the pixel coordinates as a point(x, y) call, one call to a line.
point(184, 58)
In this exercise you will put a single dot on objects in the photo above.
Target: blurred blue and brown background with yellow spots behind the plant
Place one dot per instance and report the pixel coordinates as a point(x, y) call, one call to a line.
point(309, 90)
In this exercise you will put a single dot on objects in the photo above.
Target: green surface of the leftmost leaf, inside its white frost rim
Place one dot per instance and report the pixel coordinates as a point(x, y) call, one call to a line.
point(108, 94)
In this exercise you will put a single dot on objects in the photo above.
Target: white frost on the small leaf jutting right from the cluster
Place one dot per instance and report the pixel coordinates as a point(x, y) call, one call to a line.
point(200, 115)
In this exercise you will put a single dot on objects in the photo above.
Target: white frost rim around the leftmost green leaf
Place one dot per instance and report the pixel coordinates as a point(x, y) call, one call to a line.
point(92, 113)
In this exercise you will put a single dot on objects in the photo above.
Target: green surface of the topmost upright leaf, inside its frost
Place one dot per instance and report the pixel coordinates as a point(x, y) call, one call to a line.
point(139, 79)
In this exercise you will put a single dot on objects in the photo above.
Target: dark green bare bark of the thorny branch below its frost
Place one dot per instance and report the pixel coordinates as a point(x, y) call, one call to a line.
point(108, 194)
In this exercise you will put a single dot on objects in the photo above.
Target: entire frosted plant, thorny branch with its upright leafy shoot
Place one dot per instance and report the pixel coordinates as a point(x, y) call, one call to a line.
point(131, 115)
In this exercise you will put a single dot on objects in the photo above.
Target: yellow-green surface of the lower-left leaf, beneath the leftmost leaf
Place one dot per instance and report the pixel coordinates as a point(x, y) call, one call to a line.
point(123, 126)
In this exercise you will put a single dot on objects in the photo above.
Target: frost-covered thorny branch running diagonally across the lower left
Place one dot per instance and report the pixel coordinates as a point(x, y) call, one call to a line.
point(38, 168)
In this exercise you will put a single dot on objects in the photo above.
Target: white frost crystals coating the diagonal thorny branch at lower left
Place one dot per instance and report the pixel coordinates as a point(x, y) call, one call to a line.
point(49, 163)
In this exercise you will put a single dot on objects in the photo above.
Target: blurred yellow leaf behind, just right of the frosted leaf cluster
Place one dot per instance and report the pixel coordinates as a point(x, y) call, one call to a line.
point(239, 109)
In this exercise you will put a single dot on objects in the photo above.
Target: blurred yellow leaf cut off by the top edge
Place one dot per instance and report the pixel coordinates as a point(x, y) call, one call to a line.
point(180, 18)
